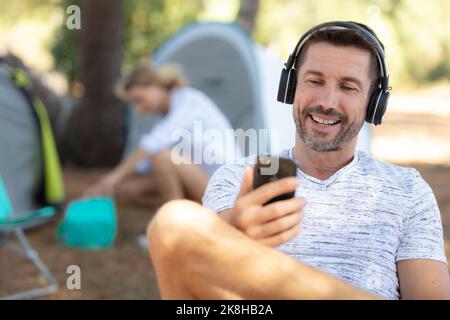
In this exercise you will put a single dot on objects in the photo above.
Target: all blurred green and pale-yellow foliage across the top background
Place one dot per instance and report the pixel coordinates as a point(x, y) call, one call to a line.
point(415, 32)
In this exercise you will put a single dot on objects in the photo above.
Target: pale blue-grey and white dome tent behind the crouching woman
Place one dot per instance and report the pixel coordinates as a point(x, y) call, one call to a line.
point(240, 76)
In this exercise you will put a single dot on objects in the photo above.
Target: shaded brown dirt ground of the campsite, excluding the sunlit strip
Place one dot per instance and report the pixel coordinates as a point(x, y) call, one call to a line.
point(124, 271)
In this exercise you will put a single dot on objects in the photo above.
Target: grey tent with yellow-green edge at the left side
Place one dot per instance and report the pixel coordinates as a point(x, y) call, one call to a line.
point(29, 163)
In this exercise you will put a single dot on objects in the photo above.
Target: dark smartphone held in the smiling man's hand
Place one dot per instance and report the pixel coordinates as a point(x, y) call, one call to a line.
point(270, 168)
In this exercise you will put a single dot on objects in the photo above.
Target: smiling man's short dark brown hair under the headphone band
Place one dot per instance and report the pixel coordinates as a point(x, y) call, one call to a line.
point(345, 38)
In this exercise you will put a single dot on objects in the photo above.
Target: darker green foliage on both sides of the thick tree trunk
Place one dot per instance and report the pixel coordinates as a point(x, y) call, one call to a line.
point(147, 25)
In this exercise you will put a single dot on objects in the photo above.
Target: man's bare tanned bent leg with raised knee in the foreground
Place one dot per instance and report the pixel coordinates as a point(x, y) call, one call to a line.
point(197, 255)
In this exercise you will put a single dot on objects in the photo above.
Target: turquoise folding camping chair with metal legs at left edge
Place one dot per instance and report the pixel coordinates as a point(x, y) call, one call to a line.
point(15, 226)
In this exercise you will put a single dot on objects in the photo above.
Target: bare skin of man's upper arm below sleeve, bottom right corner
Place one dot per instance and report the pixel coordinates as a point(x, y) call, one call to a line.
point(423, 279)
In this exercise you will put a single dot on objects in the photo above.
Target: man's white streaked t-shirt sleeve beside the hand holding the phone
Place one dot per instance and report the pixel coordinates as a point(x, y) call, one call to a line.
point(223, 187)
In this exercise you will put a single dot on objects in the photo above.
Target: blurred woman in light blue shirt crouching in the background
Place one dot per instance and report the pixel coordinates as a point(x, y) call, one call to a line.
point(151, 167)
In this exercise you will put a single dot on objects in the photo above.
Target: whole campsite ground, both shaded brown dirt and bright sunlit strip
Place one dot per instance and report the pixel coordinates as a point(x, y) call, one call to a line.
point(125, 271)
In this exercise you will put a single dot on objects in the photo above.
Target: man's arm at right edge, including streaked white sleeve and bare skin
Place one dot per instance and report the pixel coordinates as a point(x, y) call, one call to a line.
point(421, 267)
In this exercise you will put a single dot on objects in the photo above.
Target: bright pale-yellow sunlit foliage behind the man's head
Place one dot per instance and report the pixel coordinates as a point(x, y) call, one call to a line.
point(414, 32)
